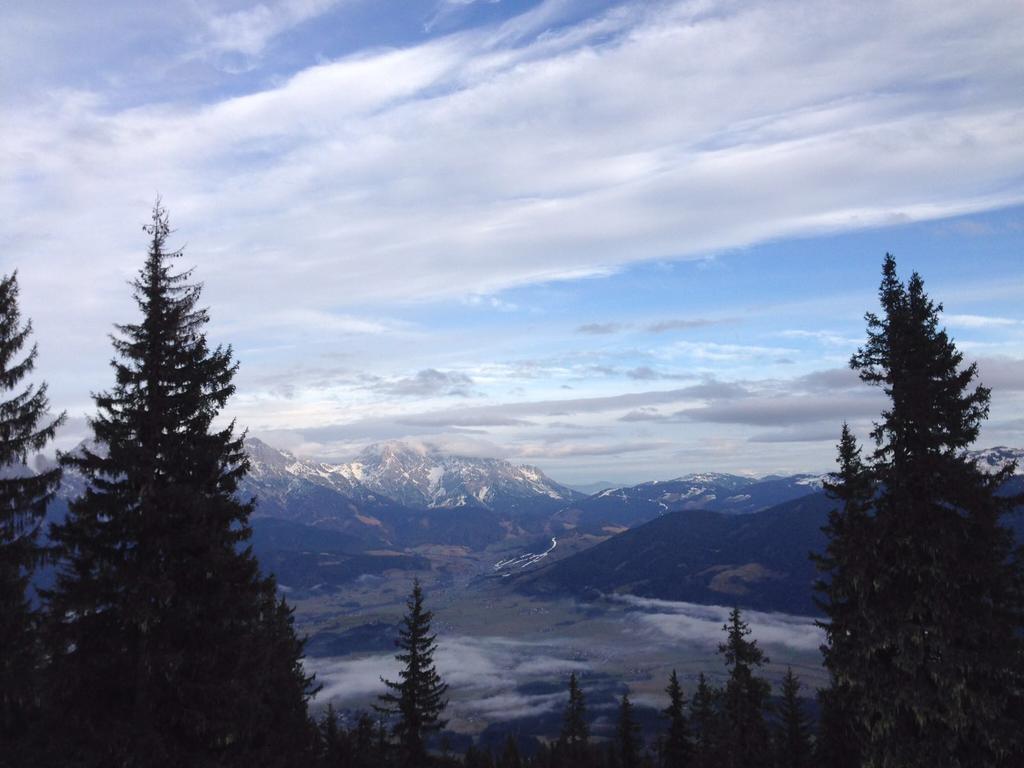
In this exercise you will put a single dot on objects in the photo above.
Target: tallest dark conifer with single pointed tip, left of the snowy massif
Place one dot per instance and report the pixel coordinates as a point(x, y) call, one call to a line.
point(168, 647)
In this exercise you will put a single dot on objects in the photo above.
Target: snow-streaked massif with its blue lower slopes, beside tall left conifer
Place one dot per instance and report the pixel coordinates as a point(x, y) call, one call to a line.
point(396, 496)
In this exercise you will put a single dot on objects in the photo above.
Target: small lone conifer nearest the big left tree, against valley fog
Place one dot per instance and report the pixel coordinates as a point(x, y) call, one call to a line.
point(418, 699)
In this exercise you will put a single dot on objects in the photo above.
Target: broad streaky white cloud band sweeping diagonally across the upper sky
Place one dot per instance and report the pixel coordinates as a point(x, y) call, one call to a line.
point(317, 169)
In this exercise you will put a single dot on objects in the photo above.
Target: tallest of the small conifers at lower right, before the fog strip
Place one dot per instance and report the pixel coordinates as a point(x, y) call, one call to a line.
point(745, 700)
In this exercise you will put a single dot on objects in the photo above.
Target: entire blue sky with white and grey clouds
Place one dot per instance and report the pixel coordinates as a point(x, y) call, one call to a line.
point(620, 241)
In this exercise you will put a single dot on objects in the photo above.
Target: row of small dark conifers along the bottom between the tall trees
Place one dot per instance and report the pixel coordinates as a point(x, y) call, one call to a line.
point(733, 726)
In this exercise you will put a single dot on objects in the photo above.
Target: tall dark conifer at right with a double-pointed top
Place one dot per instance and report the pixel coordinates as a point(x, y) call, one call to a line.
point(935, 648)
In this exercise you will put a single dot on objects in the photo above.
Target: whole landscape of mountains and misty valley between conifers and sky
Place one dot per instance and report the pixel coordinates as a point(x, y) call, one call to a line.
point(621, 587)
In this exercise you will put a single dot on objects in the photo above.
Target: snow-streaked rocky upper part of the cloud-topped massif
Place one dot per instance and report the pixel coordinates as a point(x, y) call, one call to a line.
point(421, 480)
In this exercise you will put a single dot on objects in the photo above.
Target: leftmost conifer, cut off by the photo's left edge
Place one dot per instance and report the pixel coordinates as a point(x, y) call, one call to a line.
point(24, 498)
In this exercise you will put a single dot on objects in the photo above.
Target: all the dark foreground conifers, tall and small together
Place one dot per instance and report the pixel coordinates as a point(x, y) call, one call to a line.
point(161, 644)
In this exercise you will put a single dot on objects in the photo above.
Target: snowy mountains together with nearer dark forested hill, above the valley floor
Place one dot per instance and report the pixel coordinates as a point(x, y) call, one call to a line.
point(701, 538)
